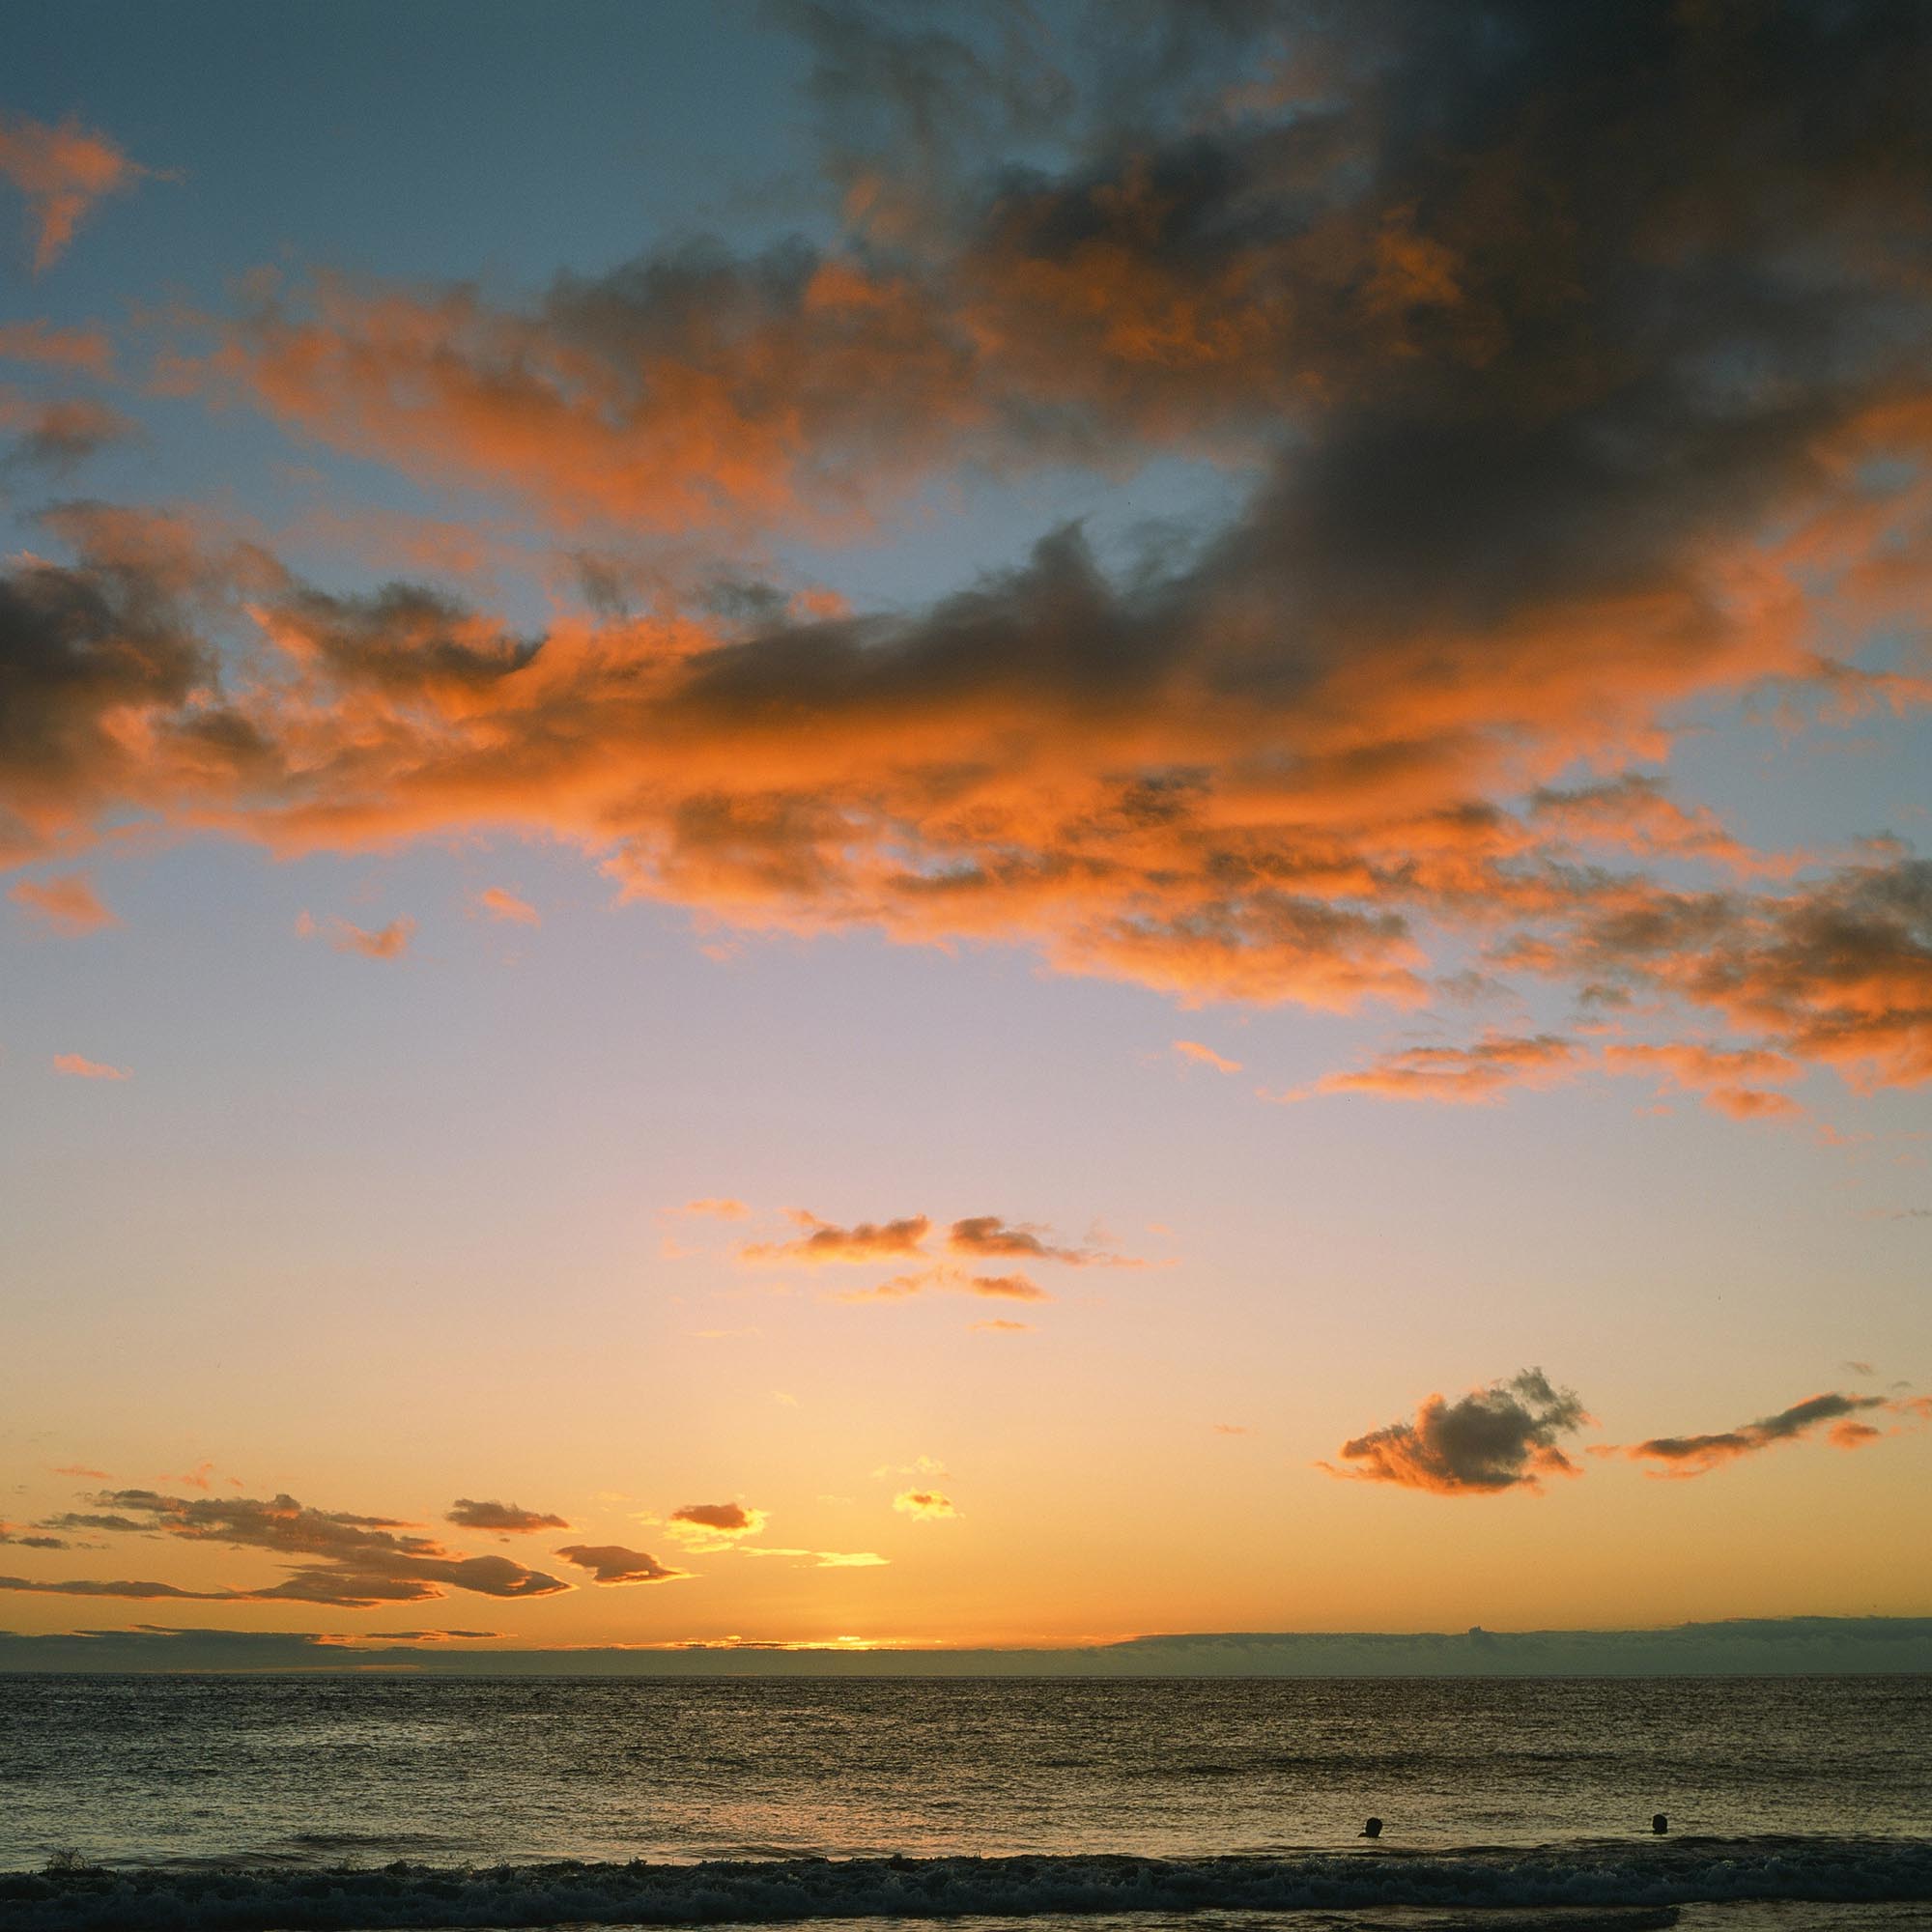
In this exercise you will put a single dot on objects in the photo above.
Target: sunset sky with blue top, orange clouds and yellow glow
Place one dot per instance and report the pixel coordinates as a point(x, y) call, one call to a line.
point(965, 824)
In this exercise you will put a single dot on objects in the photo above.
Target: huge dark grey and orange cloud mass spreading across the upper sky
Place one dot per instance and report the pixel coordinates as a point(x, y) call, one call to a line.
point(1293, 764)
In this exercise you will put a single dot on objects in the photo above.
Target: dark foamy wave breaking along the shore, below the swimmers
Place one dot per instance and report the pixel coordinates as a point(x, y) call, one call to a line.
point(760, 1892)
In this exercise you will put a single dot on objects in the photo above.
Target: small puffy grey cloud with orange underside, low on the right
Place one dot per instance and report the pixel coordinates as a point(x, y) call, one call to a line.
point(1491, 1440)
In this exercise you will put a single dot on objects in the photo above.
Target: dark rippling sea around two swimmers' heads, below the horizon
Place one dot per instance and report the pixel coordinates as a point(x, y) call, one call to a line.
point(1232, 1805)
